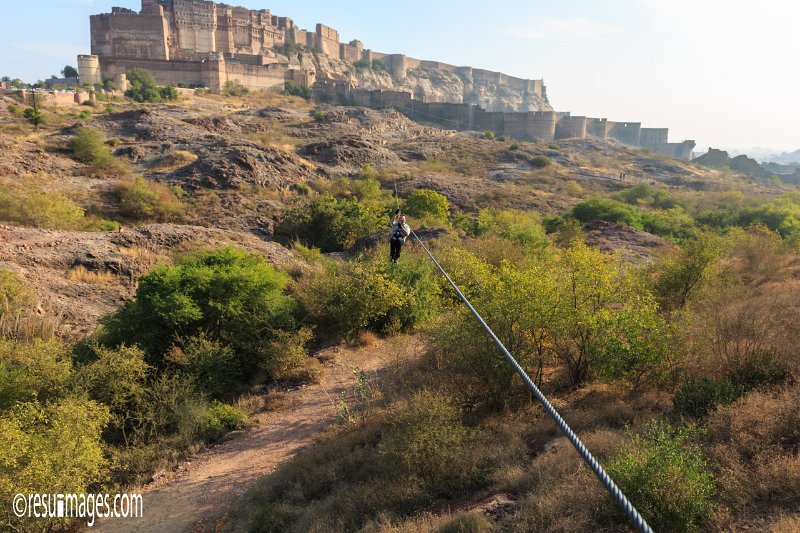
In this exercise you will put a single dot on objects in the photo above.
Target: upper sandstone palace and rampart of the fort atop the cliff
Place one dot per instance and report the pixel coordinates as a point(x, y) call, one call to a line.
point(193, 30)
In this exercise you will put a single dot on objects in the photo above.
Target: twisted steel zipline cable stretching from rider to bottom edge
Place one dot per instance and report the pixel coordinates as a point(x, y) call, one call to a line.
point(638, 521)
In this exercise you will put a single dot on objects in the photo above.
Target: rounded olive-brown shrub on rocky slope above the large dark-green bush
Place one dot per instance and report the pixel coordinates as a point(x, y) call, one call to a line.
point(139, 199)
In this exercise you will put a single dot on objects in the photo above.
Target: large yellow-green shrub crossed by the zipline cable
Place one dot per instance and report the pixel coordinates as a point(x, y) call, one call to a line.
point(581, 307)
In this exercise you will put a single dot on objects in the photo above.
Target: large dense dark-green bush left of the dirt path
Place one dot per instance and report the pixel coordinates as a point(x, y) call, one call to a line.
point(231, 296)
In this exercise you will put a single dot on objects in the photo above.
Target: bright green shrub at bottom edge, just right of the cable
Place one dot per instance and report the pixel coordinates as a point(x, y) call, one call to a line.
point(666, 477)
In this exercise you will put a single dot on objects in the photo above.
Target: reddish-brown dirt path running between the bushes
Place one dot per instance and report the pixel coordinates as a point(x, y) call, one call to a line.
point(207, 484)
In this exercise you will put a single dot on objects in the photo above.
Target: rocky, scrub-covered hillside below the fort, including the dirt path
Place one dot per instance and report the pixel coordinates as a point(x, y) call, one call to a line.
point(677, 327)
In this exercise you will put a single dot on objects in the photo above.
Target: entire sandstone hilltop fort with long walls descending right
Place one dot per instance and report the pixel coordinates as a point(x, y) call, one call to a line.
point(199, 43)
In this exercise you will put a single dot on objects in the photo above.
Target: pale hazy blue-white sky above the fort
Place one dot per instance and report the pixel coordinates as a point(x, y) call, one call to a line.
point(722, 72)
